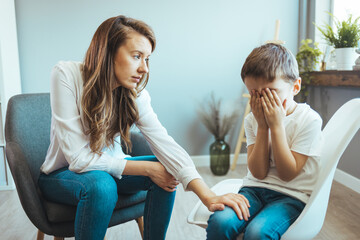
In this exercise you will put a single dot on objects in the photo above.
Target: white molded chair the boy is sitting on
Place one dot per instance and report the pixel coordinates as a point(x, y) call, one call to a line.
point(338, 133)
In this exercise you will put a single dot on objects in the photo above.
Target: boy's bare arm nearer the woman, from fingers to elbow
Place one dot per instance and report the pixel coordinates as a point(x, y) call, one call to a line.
point(258, 153)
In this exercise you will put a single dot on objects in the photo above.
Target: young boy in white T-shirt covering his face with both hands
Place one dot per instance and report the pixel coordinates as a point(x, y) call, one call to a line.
point(283, 142)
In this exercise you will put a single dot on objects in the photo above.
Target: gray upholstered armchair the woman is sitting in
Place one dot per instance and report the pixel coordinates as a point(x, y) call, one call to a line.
point(27, 133)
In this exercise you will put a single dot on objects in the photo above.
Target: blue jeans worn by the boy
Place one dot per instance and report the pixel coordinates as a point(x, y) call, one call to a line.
point(271, 214)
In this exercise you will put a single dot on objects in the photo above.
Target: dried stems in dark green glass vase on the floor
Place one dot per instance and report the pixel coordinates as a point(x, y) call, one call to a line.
point(219, 125)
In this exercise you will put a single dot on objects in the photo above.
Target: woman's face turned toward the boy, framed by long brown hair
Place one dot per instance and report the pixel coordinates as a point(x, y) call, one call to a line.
point(130, 61)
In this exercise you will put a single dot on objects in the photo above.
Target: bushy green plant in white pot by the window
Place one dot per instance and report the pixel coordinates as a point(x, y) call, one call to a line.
point(344, 40)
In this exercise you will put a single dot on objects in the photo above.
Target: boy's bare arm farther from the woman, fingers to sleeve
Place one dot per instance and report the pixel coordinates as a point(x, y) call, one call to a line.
point(288, 163)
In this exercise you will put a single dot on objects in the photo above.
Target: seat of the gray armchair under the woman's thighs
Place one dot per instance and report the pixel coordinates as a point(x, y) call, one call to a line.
point(57, 212)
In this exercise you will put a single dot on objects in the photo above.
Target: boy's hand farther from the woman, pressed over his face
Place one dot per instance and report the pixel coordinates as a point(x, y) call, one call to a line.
point(274, 110)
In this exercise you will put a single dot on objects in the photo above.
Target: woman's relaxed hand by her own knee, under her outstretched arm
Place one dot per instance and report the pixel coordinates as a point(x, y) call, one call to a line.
point(162, 178)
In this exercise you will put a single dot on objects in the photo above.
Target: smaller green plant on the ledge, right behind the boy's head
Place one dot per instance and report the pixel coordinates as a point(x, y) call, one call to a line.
point(308, 59)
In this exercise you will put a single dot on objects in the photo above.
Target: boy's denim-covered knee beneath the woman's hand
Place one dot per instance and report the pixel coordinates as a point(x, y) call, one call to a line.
point(223, 225)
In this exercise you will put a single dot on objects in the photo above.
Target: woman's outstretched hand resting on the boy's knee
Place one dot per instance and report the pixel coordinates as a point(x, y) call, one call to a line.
point(237, 202)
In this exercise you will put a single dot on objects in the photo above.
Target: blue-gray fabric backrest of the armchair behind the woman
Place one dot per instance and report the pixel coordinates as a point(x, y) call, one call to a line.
point(28, 120)
